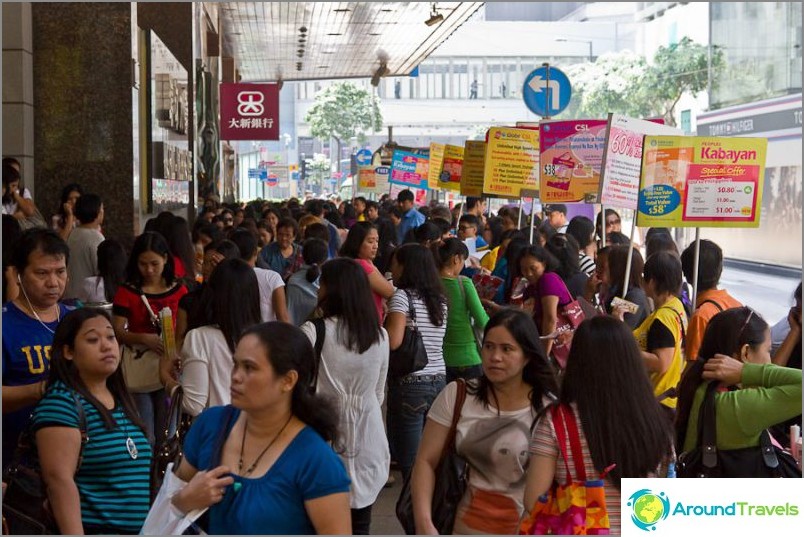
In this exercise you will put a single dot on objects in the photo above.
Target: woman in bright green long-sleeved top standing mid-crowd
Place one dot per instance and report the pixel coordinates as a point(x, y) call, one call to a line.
point(465, 313)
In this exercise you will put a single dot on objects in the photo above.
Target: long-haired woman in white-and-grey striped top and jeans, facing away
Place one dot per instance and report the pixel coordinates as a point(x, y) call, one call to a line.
point(419, 292)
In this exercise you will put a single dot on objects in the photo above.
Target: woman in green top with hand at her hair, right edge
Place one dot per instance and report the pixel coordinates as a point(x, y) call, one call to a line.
point(736, 352)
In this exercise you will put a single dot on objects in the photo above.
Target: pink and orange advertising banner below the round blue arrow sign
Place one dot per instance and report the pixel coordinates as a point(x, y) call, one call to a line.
point(571, 153)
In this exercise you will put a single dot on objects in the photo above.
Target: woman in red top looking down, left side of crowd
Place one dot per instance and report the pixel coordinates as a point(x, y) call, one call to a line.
point(150, 273)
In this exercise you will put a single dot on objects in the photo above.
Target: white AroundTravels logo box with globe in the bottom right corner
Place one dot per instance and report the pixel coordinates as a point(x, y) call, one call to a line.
point(671, 506)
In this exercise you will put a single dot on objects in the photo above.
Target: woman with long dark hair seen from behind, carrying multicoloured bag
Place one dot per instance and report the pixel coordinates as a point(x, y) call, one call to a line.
point(622, 430)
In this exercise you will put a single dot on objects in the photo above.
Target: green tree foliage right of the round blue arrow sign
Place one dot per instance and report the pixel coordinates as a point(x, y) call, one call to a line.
point(624, 83)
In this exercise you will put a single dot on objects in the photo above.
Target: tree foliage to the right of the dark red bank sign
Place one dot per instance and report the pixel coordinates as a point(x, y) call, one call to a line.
point(344, 111)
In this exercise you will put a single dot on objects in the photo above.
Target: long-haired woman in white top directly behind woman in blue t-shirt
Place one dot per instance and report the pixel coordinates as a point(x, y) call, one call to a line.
point(206, 354)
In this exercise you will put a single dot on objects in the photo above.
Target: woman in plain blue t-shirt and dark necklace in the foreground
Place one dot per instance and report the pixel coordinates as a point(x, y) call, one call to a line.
point(264, 464)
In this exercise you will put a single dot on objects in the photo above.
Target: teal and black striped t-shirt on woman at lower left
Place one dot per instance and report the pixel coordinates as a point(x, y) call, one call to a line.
point(114, 489)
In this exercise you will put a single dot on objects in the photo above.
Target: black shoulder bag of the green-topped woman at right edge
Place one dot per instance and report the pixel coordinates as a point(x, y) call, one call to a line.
point(706, 460)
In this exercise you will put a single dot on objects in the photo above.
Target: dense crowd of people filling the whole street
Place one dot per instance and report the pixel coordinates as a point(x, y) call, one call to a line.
point(290, 319)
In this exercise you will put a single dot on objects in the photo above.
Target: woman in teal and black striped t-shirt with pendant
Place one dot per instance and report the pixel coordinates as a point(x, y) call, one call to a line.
point(92, 447)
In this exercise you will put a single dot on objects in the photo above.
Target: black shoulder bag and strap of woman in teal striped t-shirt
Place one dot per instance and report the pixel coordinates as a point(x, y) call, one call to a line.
point(26, 509)
